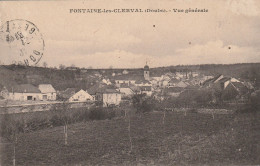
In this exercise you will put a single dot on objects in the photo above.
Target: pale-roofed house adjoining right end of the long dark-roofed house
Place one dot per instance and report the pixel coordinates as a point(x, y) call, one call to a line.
point(48, 92)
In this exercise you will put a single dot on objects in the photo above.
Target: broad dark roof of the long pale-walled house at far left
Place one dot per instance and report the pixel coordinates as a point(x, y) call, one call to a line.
point(24, 88)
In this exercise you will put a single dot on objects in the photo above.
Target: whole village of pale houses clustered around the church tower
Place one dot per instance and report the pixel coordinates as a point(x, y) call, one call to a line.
point(120, 87)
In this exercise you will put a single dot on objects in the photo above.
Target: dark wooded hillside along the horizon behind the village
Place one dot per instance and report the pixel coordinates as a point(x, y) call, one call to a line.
point(84, 78)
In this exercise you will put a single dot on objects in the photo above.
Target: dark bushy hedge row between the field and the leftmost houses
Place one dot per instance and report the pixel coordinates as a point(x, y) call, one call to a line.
point(12, 124)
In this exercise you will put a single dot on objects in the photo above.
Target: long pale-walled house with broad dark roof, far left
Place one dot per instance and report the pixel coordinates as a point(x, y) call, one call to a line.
point(24, 92)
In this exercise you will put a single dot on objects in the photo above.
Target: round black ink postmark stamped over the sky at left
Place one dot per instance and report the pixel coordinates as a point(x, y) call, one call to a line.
point(21, 42)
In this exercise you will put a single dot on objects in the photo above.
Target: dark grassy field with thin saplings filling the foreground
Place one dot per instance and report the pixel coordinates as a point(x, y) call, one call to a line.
point(231, 139)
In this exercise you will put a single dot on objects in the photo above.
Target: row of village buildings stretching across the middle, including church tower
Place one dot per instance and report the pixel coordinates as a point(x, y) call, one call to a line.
point(111, 91)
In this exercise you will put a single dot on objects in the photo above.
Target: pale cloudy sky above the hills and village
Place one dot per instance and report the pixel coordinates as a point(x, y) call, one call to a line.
point(228, 33)
